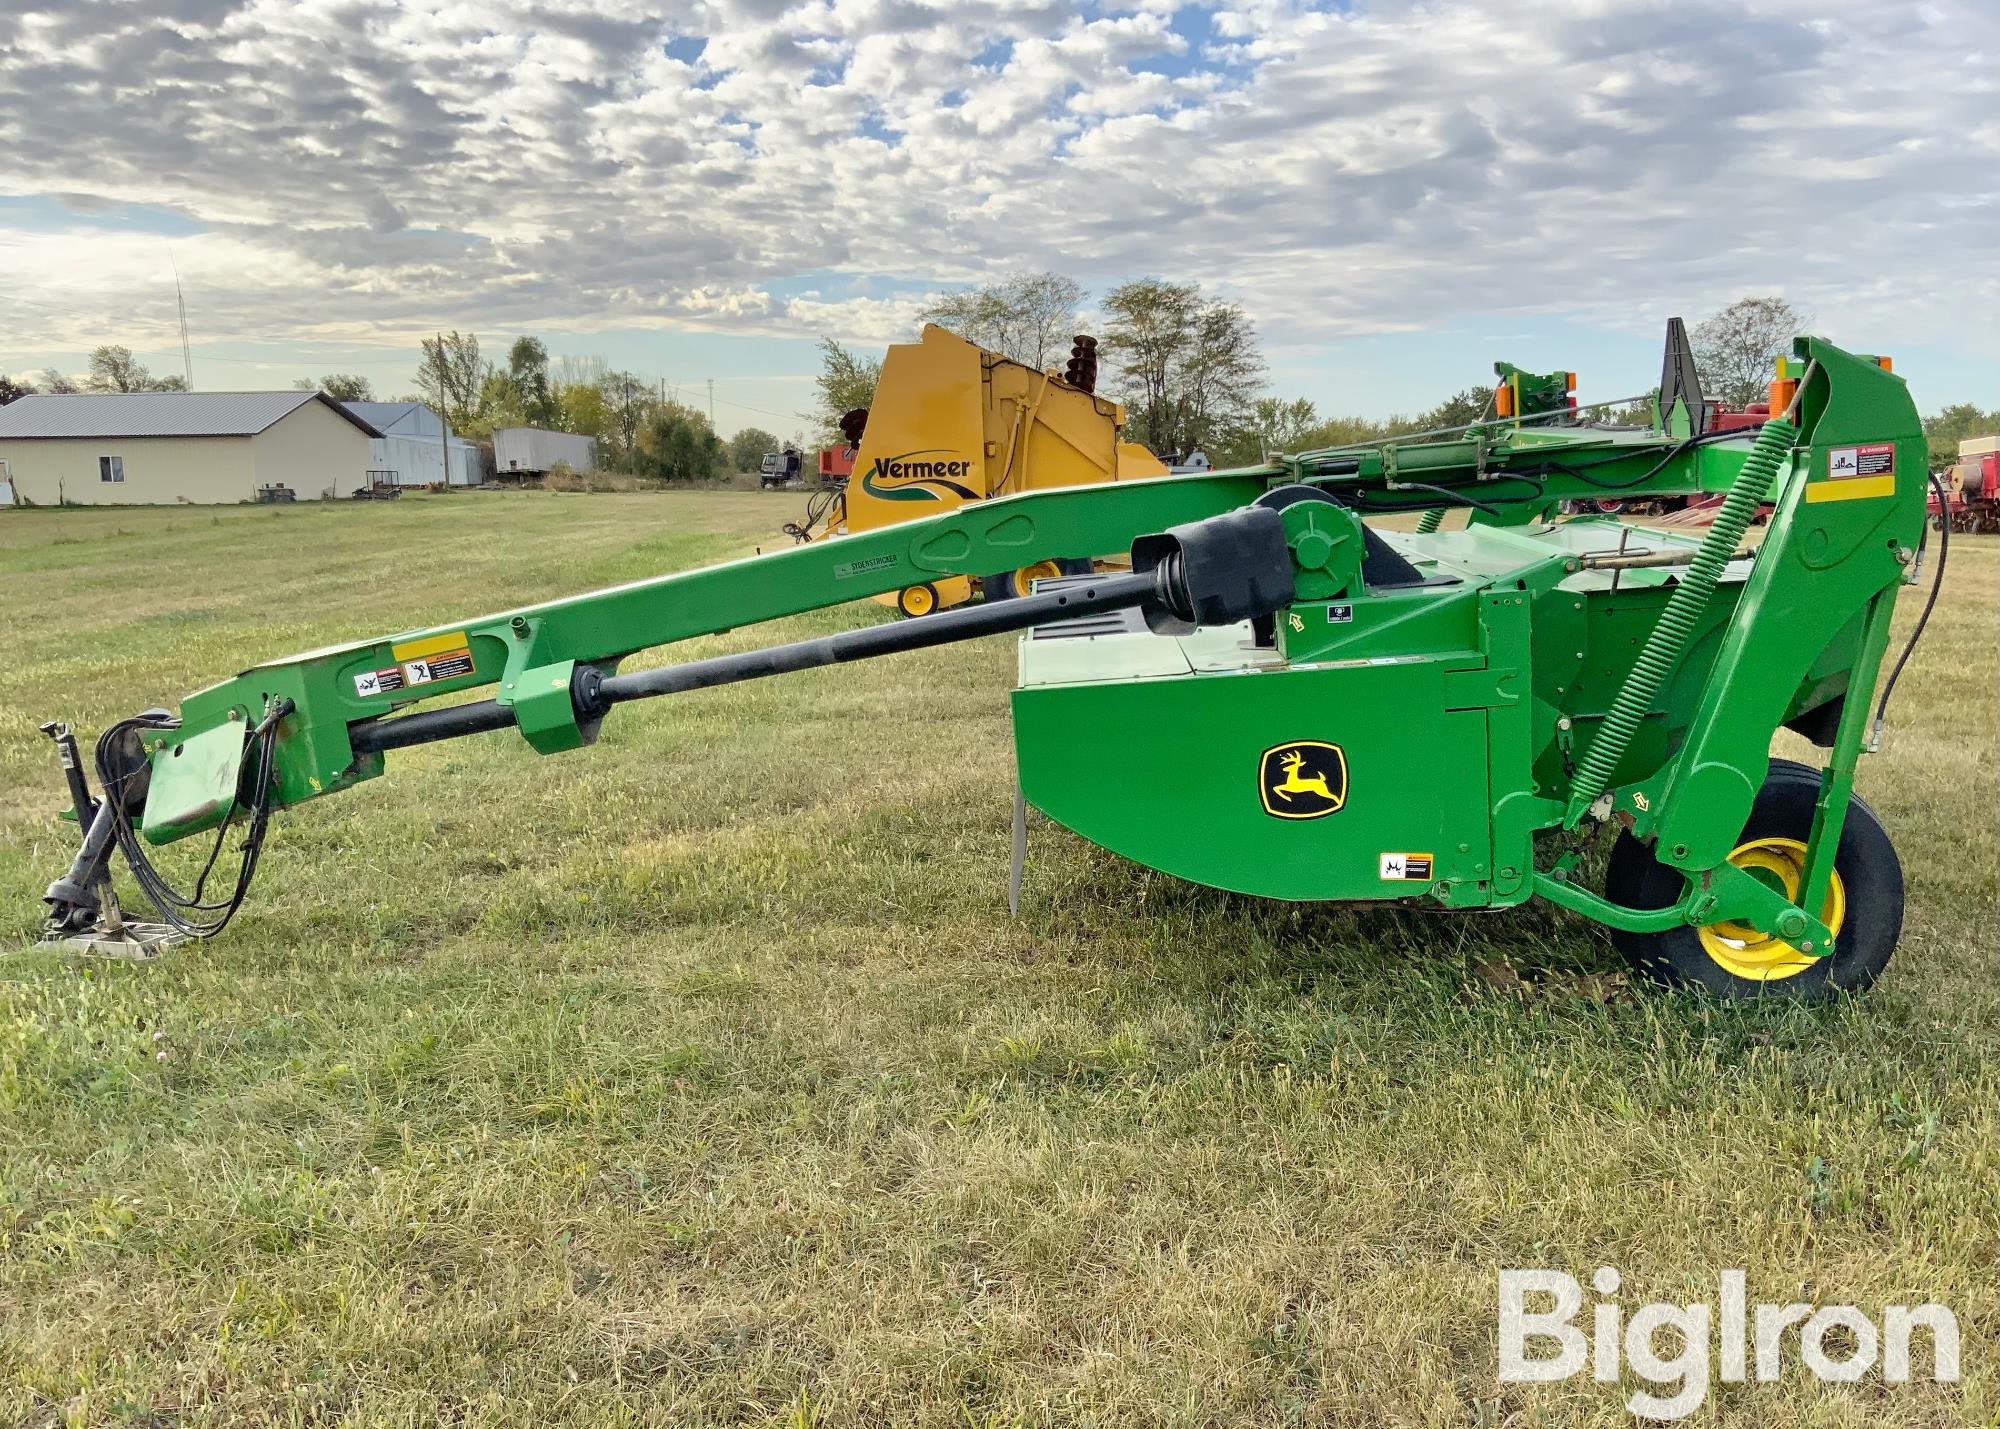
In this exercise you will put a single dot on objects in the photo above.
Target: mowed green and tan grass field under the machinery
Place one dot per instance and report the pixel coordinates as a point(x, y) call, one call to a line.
point(703, 1078)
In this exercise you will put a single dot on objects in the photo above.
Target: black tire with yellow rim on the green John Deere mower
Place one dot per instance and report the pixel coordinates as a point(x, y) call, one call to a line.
point(1863, 902)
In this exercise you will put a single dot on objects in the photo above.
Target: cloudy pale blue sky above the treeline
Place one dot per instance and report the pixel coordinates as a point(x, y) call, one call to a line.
point(1397, 193)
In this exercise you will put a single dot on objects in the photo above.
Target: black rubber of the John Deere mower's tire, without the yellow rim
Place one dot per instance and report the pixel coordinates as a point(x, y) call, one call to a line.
point(1871, 878)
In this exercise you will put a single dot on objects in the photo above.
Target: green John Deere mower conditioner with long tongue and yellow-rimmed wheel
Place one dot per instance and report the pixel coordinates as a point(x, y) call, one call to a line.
point(1279, 699)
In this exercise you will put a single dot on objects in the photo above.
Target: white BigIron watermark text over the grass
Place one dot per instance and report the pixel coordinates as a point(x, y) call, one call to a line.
point(1739, 1342)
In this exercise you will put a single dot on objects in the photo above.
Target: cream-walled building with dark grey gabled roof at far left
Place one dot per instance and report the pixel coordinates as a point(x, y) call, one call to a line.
point(153, 449)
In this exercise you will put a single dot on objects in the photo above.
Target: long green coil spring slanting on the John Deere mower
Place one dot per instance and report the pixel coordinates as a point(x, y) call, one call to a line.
point(1671, 635)
